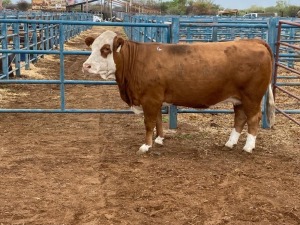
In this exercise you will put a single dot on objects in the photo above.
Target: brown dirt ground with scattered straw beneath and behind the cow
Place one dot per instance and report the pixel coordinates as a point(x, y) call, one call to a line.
point(83, 168)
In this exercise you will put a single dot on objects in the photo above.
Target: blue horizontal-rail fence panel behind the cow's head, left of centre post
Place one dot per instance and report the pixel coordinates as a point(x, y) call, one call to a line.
point(61, 52)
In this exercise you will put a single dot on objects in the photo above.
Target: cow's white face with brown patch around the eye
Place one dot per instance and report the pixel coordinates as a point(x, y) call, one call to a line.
point(101, 59)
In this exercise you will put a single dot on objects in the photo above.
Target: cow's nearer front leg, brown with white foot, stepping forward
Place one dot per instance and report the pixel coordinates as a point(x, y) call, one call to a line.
point(150, 118)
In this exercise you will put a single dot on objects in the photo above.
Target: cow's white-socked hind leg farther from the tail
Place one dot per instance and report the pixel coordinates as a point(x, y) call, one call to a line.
point(240, 120)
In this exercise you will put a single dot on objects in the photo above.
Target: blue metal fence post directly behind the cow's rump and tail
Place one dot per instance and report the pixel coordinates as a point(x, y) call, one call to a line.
point(271, 39)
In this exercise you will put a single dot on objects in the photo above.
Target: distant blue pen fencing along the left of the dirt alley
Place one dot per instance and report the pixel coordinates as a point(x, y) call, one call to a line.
point(30, 35)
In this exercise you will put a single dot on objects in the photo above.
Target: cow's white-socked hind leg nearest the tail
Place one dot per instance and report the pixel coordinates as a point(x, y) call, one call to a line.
point(253, 114)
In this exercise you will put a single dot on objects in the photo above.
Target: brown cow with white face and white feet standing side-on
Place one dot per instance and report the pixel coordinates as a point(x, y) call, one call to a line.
point(192, 75)
